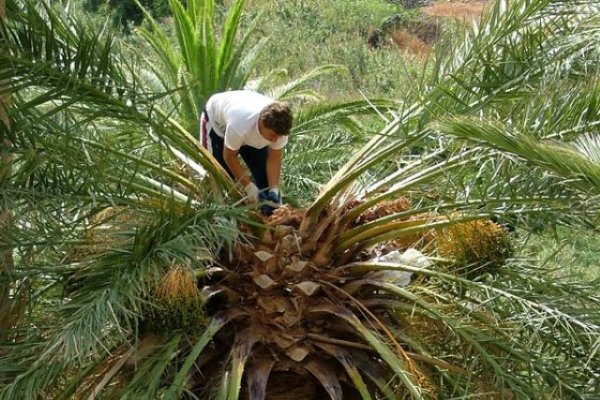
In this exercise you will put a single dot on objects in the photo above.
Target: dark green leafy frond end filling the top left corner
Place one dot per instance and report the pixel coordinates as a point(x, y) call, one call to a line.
point(65, 64)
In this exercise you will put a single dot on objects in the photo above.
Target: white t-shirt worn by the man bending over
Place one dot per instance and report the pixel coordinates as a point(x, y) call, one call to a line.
point(234, 116)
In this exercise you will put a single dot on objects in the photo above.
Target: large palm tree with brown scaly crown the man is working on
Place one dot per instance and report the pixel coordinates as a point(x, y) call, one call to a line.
point(146, 284)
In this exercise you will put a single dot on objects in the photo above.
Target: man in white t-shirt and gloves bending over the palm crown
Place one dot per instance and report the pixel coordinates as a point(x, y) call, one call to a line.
point(255, 127)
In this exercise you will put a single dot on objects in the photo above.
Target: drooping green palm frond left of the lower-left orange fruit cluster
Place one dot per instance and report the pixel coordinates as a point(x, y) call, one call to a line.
point(99, 309)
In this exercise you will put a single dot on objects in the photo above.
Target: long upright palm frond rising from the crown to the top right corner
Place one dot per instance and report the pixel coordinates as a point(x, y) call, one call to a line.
point(477, 80)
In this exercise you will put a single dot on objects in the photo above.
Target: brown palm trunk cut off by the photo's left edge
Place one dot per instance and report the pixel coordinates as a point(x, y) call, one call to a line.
point(6, 216)
